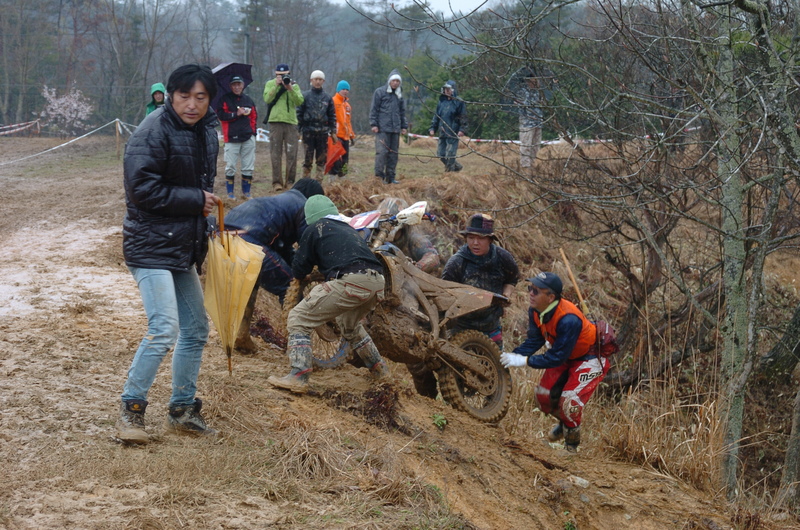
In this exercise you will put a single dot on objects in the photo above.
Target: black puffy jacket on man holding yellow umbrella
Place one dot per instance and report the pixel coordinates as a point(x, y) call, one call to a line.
point(167, 166)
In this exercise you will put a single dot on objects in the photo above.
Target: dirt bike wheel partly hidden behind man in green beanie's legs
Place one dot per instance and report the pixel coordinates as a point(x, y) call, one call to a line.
point(328, 349)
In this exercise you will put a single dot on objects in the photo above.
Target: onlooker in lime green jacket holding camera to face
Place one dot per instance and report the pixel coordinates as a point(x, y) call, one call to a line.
point(282, 96)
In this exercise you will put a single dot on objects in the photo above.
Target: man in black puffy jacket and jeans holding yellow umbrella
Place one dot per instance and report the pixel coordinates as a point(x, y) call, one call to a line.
point(169, 169)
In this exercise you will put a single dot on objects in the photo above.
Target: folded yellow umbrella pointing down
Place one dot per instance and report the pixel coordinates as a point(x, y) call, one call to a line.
point(232, 270)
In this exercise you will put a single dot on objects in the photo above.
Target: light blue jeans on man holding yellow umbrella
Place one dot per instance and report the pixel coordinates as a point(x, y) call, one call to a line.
point(176, 317)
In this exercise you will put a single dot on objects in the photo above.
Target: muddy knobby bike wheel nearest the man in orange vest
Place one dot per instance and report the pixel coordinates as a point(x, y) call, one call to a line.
point(491, 407)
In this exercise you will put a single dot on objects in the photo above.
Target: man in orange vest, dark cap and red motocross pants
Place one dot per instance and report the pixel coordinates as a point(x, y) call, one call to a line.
point(572, 367)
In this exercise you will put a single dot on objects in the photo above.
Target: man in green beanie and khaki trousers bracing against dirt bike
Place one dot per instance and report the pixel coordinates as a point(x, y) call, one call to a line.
point(353, 285)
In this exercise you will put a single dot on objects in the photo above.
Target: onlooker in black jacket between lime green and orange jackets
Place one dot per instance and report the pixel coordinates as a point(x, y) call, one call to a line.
point(316, 118)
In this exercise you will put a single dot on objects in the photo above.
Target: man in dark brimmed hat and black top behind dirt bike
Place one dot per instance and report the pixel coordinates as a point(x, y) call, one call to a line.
point(483, 264)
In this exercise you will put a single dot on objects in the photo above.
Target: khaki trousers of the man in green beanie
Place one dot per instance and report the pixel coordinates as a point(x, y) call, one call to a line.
point(346, 300)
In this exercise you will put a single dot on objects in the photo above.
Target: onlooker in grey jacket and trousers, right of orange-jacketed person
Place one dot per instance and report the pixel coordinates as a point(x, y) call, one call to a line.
point(387, 117)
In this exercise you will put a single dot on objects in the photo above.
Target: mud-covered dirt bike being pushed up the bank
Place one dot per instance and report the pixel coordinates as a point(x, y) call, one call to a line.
point(410, 325)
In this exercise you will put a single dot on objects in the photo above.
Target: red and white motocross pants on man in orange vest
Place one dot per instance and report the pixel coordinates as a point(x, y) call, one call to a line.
point(564, 390)
